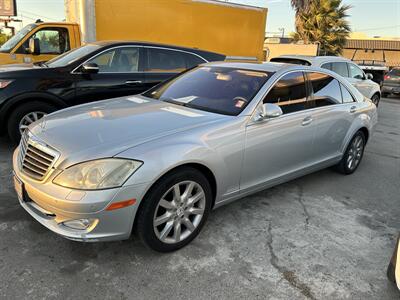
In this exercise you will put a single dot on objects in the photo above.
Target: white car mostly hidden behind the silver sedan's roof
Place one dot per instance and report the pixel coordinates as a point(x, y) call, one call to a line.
point(342, 66)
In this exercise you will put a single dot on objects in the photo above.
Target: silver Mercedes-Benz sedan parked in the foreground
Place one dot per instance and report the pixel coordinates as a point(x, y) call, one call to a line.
point(157, 163)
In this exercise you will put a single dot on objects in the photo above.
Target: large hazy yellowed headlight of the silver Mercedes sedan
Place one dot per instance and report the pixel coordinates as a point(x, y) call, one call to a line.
point(98, 174)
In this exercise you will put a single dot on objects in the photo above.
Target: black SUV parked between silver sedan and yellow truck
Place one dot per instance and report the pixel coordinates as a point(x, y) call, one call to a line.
point(92, 72)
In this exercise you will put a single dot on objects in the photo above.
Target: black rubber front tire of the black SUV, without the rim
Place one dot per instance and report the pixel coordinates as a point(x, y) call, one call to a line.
point(16, 116)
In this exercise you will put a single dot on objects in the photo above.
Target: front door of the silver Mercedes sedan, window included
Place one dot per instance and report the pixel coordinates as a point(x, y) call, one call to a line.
point(278, 147)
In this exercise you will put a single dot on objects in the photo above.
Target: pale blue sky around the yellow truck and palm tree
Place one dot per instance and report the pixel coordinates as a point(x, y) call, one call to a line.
point(374, 17)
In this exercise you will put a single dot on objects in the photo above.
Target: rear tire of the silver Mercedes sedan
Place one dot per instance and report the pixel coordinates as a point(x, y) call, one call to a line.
point(345, 166)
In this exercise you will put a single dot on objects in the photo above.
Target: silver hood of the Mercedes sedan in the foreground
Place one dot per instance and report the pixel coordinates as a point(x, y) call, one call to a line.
point(106, 128)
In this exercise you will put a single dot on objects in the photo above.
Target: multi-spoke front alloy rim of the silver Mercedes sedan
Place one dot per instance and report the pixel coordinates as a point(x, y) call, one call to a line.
point(179, 212)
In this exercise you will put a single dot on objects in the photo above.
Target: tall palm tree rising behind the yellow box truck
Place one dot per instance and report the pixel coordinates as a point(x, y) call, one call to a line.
point(324, 22)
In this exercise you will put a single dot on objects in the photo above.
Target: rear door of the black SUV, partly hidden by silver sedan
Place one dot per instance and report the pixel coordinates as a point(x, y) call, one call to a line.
point(164, 63)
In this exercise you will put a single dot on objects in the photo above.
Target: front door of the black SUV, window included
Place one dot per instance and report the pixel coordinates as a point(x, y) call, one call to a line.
point(120, 74)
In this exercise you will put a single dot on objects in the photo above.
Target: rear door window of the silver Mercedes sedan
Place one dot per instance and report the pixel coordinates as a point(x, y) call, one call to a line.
point(326, 89)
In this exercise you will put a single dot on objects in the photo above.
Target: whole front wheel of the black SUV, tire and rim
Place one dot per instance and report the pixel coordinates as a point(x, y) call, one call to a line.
point(24, 115)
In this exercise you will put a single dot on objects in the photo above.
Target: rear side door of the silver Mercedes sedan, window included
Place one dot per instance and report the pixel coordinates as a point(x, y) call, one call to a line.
point(332, 116)
